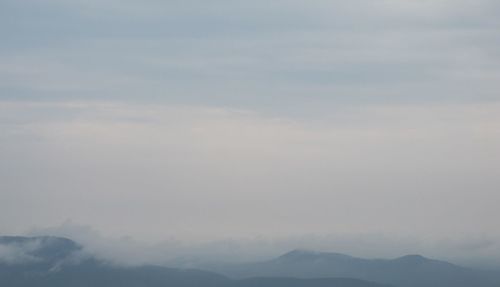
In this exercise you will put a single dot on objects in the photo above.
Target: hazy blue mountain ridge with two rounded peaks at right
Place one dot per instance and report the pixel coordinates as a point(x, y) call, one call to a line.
point(406, 271)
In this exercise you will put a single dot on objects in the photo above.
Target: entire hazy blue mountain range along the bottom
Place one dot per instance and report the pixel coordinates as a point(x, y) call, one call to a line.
point(60, 262)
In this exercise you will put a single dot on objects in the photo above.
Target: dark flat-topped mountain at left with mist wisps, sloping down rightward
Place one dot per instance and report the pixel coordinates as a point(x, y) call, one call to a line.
point(56, 262)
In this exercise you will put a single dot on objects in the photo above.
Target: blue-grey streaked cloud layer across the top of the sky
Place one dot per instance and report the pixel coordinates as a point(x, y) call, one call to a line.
point(267, 55)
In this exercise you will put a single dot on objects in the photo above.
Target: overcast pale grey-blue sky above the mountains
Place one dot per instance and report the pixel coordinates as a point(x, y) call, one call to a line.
point(303, 123)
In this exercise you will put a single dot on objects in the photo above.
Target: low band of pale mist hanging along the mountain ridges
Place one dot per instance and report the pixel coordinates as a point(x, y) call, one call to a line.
point(479, 252)
